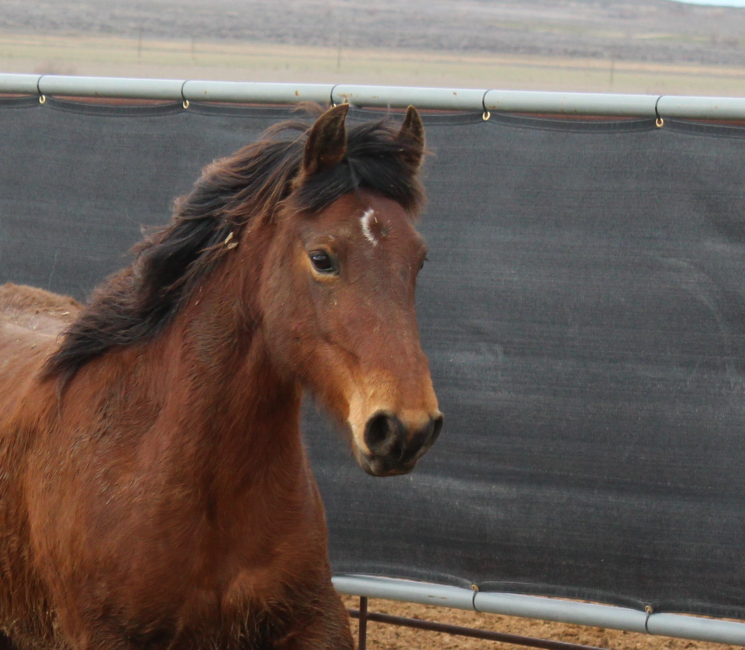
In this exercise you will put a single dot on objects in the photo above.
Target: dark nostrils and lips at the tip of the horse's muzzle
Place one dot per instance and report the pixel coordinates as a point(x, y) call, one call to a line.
point(395, 448)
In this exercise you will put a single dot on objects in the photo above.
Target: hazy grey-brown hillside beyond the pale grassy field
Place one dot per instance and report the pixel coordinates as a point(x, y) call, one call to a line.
point(633, 30)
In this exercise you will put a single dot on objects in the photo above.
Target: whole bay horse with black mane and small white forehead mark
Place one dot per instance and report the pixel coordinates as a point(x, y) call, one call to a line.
point(154, 488)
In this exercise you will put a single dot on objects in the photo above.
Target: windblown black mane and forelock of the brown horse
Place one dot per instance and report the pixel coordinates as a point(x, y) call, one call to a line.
point(138, 302)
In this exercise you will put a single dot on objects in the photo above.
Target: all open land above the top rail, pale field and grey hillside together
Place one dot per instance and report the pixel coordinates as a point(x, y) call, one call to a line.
point(628, 46)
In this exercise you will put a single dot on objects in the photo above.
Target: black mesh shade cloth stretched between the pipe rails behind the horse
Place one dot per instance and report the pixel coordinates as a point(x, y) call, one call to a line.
point(583, 311)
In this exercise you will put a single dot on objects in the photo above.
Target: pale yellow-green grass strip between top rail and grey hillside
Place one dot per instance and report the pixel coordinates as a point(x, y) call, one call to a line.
point(112, 56)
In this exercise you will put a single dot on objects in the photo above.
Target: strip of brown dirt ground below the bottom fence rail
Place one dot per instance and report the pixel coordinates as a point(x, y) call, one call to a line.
point(389, 637)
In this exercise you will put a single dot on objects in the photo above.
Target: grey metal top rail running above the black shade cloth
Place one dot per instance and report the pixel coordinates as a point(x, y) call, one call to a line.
point(445, 99)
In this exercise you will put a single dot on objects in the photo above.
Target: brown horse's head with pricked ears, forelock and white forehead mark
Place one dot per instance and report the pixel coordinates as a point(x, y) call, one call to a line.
point(337, 288)
